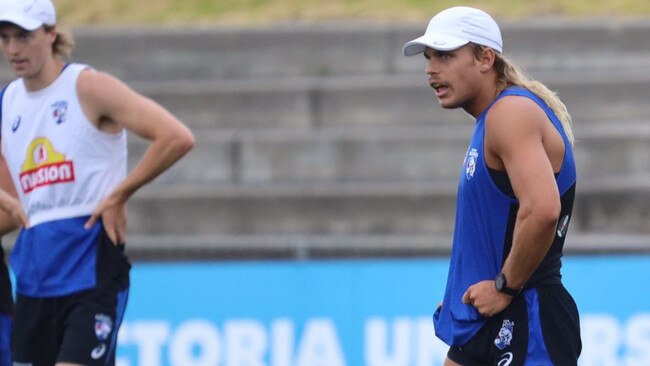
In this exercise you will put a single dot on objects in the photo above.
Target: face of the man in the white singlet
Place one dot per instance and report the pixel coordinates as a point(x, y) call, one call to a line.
point(26, 51)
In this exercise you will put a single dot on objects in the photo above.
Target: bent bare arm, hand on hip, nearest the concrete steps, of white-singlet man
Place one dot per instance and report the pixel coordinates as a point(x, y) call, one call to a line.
point(112, 106)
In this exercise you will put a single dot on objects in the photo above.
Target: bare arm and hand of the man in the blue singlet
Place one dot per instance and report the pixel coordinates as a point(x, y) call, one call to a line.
point(516, 130)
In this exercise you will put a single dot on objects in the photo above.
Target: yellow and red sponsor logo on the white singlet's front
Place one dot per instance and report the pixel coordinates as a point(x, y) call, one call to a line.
point(44, 166)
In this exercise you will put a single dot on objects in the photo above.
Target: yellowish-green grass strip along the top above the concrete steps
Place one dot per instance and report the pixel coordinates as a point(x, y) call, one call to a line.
point(243, 12)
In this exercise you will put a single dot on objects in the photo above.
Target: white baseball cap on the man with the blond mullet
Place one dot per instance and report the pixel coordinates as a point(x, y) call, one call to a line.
point(455, 27)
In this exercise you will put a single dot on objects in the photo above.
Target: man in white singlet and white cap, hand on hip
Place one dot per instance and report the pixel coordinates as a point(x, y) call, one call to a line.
point(63, 135)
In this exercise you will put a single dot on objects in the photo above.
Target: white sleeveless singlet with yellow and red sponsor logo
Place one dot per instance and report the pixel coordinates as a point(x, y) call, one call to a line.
point(62, 165)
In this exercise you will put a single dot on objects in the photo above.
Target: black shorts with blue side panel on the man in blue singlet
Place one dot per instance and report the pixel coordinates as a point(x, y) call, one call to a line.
point(540, 327)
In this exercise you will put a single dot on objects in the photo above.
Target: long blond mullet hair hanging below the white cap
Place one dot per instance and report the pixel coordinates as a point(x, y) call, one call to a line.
point(508, 74)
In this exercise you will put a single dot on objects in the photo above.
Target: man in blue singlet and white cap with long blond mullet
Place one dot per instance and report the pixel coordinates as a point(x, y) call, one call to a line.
point(504, 302)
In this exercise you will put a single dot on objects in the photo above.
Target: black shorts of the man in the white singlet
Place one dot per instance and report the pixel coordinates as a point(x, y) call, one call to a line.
point(79, 328)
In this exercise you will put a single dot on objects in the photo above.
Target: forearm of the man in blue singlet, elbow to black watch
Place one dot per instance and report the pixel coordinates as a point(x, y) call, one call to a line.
point(532, 239)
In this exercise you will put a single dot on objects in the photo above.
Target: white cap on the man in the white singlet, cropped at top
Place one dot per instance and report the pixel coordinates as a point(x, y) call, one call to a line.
point(28, 14)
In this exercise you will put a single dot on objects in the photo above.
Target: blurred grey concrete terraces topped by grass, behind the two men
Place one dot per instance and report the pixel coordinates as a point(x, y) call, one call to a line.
point(316, 138)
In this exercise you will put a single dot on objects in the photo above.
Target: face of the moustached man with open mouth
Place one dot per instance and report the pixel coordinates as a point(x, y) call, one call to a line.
point(454, 75)
